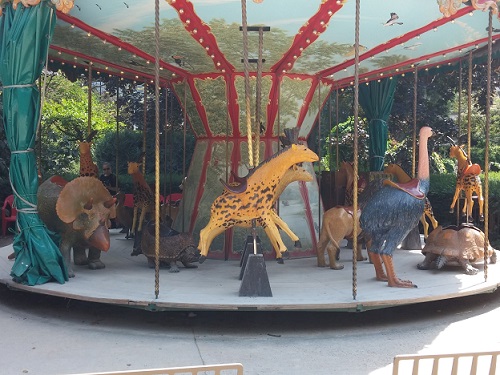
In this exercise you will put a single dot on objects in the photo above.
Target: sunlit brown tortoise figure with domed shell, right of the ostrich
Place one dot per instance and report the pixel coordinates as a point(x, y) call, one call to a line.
point(463, 244)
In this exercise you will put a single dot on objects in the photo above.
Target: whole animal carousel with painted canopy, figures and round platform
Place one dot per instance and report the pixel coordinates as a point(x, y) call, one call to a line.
point(255, 229)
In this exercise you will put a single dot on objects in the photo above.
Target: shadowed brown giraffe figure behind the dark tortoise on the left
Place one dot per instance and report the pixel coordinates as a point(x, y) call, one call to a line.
point(144, 202)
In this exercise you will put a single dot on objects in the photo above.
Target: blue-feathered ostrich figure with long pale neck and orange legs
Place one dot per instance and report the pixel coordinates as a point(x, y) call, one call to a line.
point(392, 212)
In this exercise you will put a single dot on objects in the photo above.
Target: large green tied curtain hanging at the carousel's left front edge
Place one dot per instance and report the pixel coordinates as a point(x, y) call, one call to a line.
point(25, 35)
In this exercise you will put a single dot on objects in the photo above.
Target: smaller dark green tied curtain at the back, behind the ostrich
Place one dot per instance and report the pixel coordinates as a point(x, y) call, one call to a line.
point(376, 99)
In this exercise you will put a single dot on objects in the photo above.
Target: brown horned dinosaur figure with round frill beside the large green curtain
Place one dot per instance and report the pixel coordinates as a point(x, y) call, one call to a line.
point(79, 211)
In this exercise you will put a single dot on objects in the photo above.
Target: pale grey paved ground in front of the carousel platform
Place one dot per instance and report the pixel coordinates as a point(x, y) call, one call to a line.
point(50, 335)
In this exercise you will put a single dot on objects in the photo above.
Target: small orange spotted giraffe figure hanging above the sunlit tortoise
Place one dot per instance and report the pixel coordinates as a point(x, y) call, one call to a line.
point(469, 181)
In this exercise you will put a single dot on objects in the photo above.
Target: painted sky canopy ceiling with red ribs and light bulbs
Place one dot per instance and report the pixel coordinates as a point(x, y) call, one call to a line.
point(203, 39)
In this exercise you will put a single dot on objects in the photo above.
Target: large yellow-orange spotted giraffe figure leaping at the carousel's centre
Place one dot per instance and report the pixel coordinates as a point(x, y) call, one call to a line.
point(254, 201)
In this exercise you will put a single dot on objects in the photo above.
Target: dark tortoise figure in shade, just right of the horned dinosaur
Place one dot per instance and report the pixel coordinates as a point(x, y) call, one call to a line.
point(174, 246)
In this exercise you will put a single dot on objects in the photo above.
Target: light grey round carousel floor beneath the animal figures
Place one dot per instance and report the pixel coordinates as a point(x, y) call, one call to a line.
point(296, 285)
